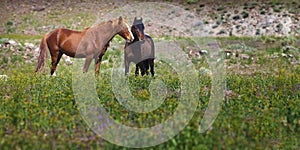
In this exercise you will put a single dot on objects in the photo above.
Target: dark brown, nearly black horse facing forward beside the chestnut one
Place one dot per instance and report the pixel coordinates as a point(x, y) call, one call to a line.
point(140, 50)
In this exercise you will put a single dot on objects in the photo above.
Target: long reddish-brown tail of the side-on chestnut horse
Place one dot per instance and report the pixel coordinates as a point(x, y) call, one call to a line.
point(42, 54)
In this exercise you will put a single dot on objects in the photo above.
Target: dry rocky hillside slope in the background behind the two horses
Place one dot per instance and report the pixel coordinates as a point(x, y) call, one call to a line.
point(211, 18)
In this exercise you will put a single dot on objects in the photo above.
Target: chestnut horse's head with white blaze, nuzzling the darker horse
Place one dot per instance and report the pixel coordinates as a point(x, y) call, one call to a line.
point(124, 30)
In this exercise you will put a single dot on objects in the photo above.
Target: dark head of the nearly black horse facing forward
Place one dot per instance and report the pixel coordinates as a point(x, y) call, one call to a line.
point(137, 28)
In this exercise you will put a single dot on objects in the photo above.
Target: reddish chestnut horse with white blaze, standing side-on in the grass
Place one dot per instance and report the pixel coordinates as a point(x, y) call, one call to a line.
point(91, 43)
